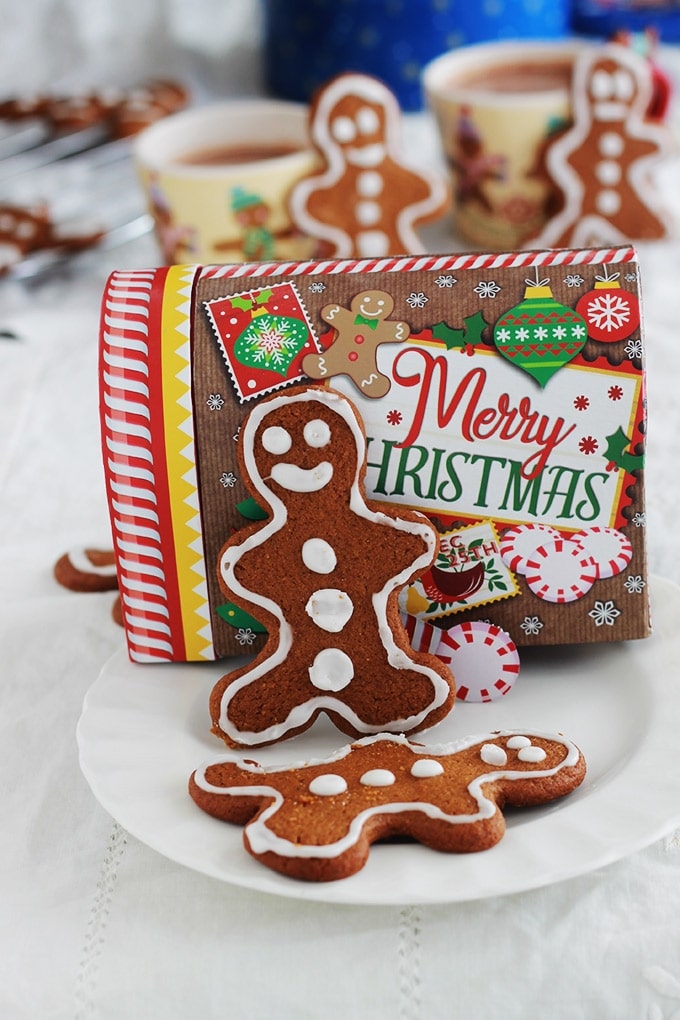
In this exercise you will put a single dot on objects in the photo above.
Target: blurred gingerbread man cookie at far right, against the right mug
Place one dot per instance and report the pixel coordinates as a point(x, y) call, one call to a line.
point(604, 163)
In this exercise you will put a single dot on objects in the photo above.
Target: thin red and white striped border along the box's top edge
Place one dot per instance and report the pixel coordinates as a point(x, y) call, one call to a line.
point(432, 264)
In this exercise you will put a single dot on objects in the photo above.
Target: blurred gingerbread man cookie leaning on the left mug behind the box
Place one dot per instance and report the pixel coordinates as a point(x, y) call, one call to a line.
point(368, 200)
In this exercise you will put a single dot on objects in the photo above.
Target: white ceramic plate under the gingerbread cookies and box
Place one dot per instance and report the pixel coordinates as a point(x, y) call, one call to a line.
point(145, 729)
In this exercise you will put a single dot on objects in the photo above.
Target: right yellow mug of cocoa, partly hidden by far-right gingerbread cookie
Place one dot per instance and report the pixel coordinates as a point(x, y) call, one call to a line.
point(498, 107)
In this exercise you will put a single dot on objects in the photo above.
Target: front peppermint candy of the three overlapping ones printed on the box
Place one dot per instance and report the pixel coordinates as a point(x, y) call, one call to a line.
point(561, 572)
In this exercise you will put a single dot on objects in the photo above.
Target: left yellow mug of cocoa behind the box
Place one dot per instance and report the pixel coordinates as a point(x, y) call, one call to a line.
point(218, 179)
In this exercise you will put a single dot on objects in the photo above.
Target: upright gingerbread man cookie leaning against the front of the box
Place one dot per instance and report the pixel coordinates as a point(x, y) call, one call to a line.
point(323, 574)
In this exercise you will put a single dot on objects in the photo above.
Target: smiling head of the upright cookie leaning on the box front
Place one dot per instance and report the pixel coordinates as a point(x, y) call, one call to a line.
point(303, 446)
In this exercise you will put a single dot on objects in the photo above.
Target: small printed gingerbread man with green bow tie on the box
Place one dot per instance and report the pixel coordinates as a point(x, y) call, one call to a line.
point(360, 331)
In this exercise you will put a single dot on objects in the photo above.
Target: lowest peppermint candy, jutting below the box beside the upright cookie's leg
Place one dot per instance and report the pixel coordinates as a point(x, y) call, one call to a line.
point(484, 659)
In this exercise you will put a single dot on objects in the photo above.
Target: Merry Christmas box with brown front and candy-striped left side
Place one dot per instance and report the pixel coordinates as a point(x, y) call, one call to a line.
point(503, 395)
